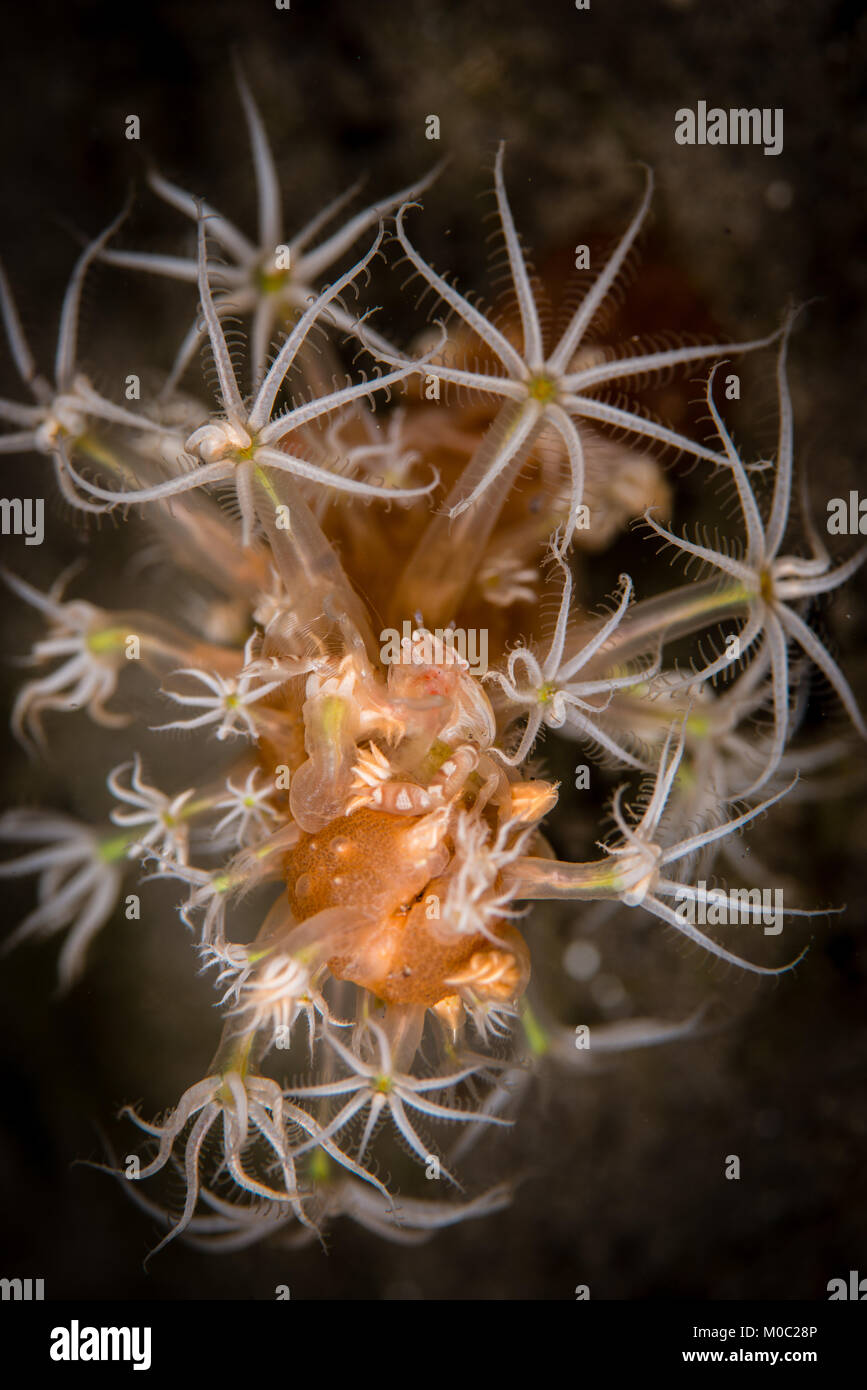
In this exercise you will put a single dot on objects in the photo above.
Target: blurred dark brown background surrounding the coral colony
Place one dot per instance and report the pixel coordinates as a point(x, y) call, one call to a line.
point(625, 1168)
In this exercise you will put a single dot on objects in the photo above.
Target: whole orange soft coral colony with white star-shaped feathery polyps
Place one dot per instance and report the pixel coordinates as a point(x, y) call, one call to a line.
point(365, 658)
